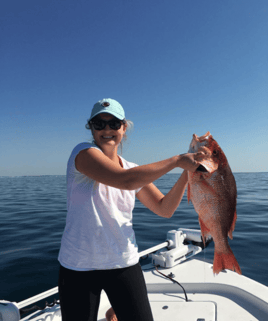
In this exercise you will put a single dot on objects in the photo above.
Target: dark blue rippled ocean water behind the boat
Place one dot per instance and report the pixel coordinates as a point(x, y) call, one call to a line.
point(33, 212)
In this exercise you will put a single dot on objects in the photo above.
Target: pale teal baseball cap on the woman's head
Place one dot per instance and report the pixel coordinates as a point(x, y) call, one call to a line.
point(109, 106)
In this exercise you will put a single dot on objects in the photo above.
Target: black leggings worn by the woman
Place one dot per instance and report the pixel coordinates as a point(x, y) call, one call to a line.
point(80, 291)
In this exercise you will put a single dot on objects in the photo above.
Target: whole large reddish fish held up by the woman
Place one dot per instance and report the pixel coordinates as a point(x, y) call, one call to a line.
point(213, 193)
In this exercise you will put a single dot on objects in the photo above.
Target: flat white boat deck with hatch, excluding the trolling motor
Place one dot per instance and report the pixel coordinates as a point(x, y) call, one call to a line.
point(223, 297)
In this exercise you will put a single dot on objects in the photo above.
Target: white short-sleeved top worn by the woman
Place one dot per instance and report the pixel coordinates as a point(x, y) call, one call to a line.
point(98, 232)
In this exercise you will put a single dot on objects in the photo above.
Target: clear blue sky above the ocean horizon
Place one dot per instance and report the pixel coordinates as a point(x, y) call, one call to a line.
point(178, 67)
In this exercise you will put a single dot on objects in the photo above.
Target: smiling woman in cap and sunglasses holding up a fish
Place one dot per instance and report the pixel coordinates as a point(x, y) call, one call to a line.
point(98, 250)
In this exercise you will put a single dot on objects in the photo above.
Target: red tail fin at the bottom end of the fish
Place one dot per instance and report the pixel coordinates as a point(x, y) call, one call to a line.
point(224, 261)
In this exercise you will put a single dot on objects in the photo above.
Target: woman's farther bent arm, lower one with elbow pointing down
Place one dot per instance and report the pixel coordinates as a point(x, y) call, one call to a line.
point(161, 205)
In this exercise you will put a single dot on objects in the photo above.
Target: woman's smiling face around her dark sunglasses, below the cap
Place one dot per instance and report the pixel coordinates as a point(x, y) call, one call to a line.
point(107, 137)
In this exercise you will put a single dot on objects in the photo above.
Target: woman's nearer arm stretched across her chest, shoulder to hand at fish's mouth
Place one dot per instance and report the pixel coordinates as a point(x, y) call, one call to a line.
point(94, 164)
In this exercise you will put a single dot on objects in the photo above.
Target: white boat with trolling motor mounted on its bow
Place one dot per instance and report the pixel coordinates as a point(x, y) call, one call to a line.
point(204, 296)
